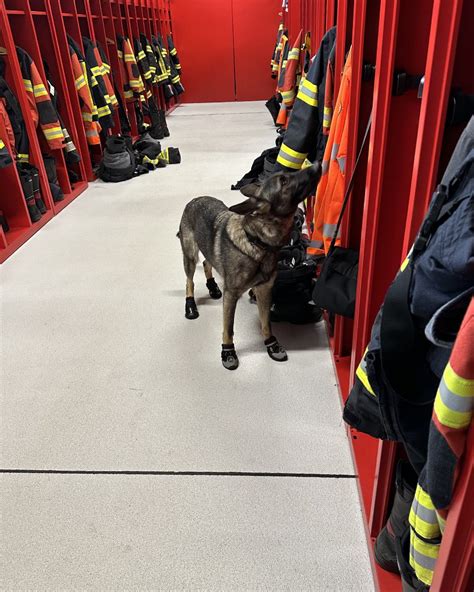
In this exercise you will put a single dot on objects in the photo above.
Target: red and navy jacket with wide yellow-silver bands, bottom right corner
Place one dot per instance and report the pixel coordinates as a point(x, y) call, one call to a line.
point(452, 417)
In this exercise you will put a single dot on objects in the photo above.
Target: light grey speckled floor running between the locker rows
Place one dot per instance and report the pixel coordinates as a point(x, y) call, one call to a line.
point(101, 373)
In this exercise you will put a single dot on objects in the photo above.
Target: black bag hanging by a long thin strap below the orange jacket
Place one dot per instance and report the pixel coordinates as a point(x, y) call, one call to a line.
point(335, 289)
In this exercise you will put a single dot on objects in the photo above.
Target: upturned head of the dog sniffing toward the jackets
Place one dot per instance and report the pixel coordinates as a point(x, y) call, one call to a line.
point(280, 194)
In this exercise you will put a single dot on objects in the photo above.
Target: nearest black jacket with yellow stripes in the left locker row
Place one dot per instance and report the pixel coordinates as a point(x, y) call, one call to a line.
point(99, 89)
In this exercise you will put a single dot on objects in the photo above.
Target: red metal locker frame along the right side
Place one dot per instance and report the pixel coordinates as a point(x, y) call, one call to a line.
point(391, 194)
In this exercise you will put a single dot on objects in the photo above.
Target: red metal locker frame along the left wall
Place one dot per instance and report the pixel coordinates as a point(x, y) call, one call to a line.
point(41, 28)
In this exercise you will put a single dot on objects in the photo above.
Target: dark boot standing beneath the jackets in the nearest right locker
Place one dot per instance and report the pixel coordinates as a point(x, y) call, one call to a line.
point(397, 523)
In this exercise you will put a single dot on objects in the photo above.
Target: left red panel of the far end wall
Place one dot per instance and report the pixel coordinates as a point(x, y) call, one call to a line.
point(204, 37)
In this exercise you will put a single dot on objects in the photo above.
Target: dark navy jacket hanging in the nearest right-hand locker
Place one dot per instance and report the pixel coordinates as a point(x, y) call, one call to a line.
point(397, 379)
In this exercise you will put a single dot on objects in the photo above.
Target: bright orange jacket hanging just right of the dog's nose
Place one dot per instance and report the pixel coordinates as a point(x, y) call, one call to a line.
point(331, 188)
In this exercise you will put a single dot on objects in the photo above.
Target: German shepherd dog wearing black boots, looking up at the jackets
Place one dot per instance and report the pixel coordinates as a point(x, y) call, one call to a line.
point(242, 244)
